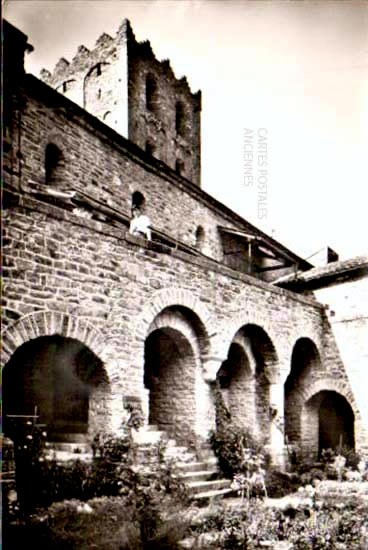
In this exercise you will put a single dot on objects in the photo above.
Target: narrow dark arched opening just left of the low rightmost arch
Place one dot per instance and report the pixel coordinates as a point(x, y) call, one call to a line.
point(305, 364)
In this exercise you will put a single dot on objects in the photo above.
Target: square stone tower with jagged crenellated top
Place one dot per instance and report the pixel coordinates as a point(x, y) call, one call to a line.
point(121, 82)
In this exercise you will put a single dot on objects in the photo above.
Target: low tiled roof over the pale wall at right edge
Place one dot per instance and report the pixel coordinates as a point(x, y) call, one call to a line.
point(330, 271)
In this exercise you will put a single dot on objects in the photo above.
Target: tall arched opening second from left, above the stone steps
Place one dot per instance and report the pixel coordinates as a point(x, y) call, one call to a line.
point(172, 371)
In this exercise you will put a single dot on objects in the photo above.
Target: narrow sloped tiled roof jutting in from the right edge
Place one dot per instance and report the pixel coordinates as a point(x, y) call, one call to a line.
point(321, 275)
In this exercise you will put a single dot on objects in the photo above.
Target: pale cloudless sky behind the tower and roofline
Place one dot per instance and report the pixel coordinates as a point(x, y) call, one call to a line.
point(284, 100)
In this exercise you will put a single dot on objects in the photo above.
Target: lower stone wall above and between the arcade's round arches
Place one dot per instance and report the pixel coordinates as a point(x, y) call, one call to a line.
point(88, 271)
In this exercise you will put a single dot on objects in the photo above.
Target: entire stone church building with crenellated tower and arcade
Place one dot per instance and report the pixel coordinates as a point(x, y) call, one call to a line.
point(94, 316)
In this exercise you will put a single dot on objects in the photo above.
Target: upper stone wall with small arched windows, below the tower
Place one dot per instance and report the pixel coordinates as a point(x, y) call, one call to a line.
point(106, 171)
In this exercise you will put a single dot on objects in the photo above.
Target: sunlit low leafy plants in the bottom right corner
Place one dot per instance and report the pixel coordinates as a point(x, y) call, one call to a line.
point(310, 520)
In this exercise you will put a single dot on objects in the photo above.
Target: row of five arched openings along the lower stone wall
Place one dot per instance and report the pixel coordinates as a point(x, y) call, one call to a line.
point(69, 386)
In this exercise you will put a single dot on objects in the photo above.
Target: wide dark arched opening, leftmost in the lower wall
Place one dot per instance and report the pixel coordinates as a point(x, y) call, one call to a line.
point(60, 378)
